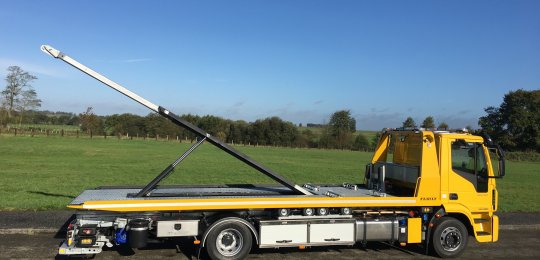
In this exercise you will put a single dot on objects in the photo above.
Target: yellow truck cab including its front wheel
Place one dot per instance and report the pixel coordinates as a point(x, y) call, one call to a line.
point(451, 171)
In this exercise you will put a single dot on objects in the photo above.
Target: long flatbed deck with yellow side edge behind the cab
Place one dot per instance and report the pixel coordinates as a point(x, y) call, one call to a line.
point(223, 197)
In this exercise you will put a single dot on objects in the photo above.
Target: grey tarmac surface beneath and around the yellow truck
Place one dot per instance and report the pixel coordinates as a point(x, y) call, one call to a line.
point(36, 235)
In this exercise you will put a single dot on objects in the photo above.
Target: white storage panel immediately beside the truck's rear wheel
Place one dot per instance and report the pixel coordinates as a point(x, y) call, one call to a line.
point(281, 235)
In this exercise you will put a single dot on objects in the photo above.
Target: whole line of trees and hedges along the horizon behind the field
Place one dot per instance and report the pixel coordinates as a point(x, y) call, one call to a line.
point(515, 124)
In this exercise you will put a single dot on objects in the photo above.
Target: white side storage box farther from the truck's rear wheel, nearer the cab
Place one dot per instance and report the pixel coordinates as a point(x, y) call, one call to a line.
point(331, 233)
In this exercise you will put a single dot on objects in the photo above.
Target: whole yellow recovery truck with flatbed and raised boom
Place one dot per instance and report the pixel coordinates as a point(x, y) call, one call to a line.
point(428, 187)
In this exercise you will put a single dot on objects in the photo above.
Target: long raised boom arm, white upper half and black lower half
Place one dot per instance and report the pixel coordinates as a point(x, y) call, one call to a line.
point(175, 119)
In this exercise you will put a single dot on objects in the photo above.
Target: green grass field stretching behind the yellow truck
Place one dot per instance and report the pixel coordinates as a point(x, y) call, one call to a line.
point(47, 172)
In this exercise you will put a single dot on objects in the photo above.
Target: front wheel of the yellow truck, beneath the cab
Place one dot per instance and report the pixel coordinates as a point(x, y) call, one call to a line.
point(449, 238)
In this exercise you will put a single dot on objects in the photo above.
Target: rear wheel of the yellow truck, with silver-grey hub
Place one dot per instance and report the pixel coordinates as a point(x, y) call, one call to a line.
point(229, 240)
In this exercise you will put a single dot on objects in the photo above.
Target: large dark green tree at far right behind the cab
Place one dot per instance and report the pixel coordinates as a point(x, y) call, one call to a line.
point(515, 124)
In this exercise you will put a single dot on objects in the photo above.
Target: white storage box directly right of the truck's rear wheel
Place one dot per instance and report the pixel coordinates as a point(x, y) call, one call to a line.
point(283, 233)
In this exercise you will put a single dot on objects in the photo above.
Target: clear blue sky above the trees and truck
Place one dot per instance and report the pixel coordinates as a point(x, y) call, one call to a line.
point(299, 60)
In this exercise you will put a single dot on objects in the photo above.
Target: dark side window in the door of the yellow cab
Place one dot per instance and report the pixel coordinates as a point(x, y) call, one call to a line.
point(469, 161)
